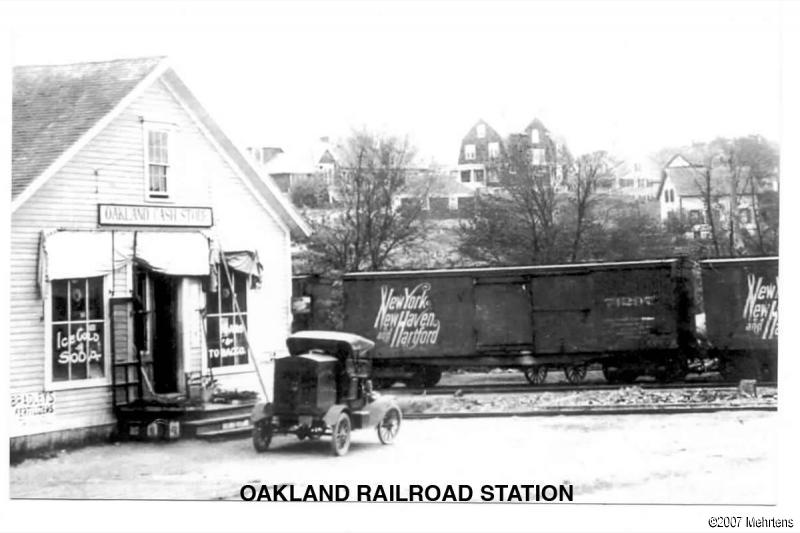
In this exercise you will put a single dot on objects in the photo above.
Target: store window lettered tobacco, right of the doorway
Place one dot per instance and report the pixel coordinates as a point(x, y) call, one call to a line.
point(226, 323)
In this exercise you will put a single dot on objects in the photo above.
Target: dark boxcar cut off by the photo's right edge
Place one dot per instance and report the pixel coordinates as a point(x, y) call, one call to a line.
point(741, 305)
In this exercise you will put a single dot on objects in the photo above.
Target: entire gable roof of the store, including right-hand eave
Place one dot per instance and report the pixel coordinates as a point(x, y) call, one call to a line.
point(87, 96)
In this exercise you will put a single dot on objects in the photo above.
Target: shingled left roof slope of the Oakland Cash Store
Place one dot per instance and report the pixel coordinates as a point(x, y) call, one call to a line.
point(54, 105)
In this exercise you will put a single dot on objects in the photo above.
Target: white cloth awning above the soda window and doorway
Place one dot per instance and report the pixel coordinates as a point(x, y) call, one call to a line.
point(84, 254)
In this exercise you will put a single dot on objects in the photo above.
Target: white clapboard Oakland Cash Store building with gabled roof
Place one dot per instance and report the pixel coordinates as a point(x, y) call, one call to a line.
point(142, 244)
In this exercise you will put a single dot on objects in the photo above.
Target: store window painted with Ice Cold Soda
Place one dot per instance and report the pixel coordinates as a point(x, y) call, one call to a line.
point(77, 322)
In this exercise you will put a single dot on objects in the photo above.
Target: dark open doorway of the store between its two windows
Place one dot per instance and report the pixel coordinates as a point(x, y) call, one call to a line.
point(158, 330)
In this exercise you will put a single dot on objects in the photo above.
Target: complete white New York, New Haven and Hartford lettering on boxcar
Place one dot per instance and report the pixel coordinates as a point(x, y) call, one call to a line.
point(405, 318)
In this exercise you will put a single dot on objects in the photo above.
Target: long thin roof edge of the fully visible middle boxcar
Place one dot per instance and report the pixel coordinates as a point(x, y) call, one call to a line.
point(518, 270)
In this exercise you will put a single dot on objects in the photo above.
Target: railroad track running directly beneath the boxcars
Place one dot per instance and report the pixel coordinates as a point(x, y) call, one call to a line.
point(560, 387)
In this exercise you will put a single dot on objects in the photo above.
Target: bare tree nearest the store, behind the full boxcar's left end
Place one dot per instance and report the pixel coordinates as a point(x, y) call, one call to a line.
point(368, 224)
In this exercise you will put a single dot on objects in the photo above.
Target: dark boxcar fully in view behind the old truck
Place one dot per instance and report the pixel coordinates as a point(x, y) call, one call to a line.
point(633, 317)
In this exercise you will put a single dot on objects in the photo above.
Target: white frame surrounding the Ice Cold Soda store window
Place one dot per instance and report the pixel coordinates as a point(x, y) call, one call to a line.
point(49, 383)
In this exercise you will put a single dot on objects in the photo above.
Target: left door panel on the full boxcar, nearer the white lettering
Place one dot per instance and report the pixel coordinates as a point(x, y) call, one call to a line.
point(503, 314)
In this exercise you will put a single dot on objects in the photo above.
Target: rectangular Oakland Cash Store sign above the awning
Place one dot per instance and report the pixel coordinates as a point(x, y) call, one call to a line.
point(154, 215)
